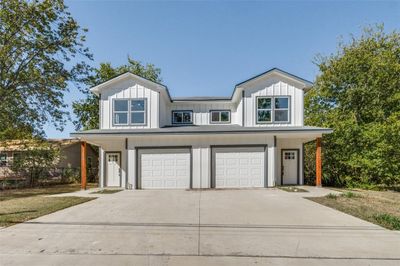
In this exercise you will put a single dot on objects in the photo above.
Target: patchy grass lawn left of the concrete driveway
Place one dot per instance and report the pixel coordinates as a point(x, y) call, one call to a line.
point(17, 206)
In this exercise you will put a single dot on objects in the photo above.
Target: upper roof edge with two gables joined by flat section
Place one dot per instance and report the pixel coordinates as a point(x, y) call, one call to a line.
point(97, 89)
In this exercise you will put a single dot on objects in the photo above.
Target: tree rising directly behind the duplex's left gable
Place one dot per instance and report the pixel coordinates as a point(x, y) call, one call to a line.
point(87, 110)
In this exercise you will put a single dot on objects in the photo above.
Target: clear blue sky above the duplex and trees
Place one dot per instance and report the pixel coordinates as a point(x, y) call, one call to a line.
point(205, 48)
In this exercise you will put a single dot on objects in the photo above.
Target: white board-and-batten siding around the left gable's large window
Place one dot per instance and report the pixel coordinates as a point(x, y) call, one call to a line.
point(130, 91)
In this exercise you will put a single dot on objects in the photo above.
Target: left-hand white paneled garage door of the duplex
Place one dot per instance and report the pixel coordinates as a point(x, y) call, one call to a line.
point(164, 168)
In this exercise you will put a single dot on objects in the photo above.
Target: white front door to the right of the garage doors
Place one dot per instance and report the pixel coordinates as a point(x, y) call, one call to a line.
point(290, 167)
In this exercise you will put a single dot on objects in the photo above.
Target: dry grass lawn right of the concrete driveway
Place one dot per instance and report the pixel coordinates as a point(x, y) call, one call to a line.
point(379, 207)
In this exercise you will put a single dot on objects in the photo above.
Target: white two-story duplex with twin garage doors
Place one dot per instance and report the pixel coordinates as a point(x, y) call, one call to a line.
point(253, 138)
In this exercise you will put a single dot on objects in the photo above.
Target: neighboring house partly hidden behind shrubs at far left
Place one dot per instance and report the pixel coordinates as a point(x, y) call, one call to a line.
point(69, 154)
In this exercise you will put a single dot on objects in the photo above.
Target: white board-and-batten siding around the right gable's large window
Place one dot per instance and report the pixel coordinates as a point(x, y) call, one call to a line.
point(274, 87)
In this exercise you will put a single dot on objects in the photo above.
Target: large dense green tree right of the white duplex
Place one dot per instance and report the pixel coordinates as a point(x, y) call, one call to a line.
point(358, 95)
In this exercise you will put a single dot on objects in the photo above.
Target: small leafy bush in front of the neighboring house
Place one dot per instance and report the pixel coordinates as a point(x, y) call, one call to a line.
point(35, 158)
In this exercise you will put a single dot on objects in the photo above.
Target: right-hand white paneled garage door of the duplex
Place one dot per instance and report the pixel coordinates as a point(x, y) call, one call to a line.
point(239, 167)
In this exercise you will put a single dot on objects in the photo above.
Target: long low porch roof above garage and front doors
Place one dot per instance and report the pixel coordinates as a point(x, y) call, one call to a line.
point(201, 130)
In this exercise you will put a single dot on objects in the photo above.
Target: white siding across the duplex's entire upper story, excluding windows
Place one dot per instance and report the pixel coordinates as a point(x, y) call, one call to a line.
point(159, 108)
